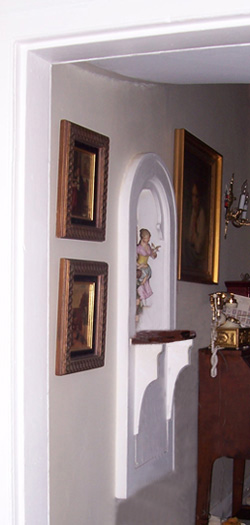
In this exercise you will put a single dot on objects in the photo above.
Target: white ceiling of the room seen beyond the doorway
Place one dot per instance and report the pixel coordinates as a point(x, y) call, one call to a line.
point(190, 66)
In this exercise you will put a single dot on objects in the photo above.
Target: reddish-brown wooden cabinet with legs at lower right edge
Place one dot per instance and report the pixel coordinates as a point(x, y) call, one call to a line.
point(223, 425)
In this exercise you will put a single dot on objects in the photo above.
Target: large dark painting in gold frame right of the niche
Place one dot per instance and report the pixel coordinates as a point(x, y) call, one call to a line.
point(197, 183)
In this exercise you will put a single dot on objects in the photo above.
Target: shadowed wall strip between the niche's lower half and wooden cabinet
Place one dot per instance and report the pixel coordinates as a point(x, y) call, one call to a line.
point(172, 500)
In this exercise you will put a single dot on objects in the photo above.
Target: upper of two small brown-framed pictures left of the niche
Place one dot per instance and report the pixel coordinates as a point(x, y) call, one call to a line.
point(82, 183)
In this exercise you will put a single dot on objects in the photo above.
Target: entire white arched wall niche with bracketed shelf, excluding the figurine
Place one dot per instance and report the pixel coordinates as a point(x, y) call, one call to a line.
point(150, 351)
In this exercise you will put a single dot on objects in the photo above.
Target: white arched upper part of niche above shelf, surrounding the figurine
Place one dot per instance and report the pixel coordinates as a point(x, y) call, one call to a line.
point(147, 201)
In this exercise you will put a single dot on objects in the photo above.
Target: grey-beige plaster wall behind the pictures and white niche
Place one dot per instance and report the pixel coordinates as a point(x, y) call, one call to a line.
point(137, 118)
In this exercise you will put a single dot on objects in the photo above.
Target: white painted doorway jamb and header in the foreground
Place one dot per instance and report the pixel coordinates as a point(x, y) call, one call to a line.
point(34, 61)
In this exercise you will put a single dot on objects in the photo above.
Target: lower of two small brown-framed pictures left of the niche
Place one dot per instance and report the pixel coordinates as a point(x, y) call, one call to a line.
point(81, 324)
